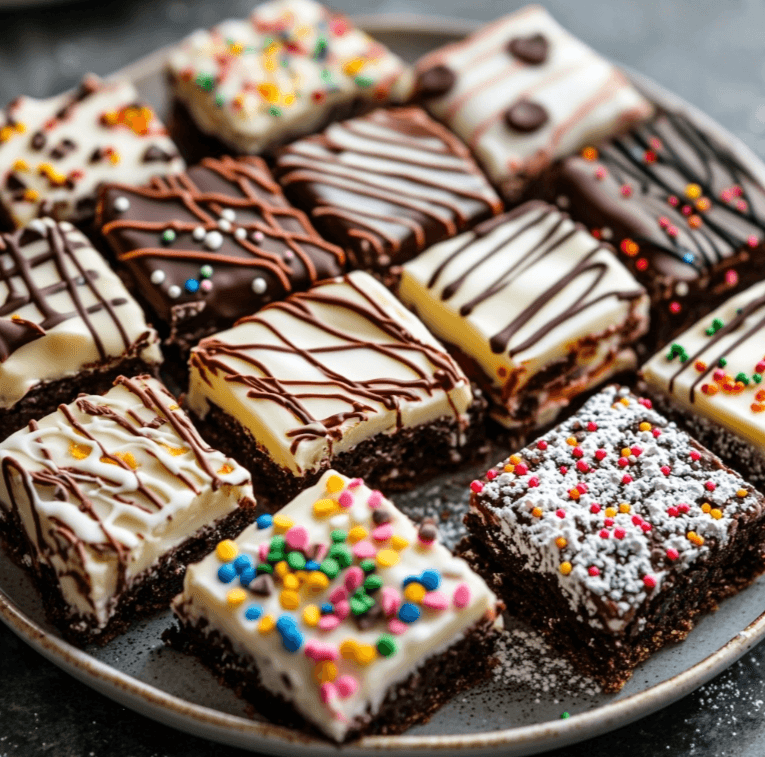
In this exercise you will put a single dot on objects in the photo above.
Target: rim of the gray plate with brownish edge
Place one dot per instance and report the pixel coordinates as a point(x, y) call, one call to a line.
point(249, 734)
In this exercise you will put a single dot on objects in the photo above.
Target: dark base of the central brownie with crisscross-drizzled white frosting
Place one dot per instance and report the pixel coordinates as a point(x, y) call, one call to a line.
point(391, 462)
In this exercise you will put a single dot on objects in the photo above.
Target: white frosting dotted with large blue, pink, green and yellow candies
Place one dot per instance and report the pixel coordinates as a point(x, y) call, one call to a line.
point(206, 596)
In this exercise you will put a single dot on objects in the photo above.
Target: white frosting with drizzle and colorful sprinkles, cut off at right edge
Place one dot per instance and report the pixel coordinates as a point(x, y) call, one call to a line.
point(698, 382)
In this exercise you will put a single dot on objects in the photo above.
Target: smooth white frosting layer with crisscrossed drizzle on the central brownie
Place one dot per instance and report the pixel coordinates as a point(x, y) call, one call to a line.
point(325, 370)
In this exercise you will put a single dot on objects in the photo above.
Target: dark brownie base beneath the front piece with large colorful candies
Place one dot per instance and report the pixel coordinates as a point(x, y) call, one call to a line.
point(463, 665)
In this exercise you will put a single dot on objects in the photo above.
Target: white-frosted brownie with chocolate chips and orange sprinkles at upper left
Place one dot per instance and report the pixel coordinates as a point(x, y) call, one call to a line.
point(54, 153)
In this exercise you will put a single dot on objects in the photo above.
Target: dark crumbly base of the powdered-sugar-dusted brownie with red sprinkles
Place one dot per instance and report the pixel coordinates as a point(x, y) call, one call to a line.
point(610, 659)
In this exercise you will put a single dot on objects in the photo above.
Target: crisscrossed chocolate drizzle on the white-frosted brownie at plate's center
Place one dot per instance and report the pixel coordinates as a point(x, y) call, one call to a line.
point(307, 311)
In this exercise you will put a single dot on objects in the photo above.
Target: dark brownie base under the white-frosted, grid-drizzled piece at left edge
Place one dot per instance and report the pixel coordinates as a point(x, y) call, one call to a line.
point(44, 398)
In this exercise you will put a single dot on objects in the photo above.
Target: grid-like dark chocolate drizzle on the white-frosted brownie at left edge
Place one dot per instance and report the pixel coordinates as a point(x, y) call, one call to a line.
point(17, 274)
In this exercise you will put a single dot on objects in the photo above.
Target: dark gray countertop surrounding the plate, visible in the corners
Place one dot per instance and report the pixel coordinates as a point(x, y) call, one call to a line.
point(711, 53)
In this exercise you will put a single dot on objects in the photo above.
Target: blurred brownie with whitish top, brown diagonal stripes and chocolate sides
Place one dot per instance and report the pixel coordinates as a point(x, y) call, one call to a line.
point(386, 185)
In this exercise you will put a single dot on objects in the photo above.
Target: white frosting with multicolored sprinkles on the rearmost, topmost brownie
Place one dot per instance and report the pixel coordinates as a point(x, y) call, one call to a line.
point(281, 73)
